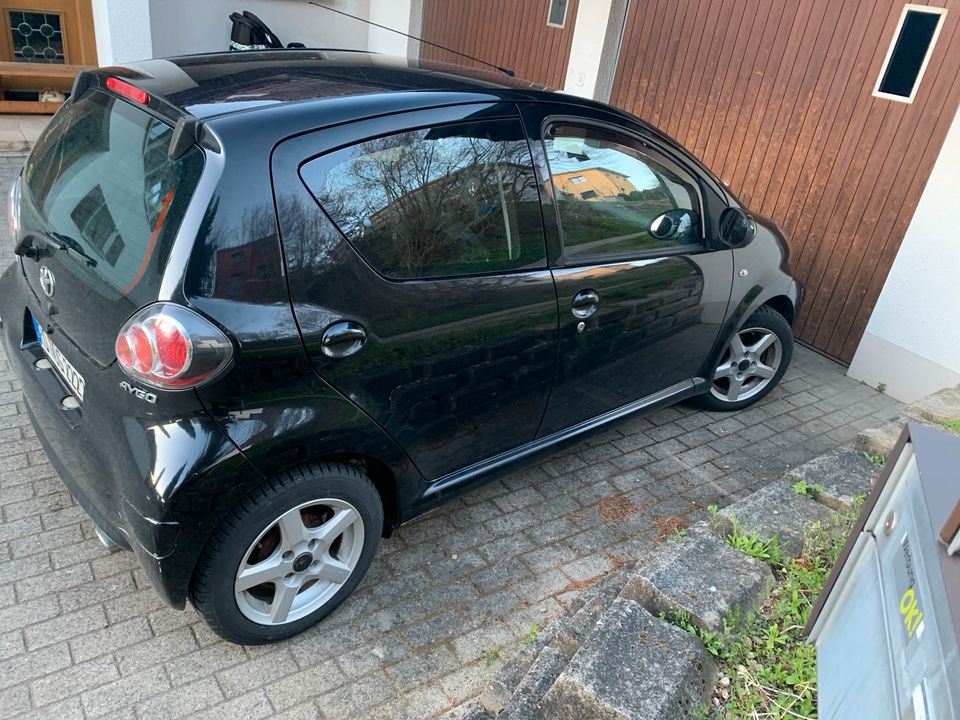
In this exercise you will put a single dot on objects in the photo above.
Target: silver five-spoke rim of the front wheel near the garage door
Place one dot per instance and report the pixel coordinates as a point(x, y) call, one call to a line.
point(748, 365)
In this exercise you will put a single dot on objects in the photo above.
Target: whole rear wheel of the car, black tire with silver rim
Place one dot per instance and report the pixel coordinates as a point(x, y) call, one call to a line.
point(289, 554)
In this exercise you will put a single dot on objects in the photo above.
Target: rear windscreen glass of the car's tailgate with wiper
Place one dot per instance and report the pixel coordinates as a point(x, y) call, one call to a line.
point(100, 176)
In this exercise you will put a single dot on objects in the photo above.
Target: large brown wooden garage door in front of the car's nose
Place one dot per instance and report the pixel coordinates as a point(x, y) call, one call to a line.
point(775, 96)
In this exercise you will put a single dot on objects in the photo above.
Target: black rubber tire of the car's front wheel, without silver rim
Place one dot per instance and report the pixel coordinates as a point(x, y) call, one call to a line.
point(764, 319)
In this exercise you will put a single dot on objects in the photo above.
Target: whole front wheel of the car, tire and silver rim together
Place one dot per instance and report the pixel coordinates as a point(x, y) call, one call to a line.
point(752, 362)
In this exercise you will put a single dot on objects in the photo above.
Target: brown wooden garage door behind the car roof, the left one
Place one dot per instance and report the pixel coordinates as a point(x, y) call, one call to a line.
point(507, 33)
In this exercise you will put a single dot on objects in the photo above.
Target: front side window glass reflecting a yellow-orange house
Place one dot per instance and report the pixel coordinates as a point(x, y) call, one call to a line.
point(610, 193)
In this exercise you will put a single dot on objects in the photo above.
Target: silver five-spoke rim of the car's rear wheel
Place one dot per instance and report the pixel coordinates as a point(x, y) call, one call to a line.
point(299, 561)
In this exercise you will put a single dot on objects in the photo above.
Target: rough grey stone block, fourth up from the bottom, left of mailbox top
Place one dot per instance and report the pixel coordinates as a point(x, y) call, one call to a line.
point(843, 474)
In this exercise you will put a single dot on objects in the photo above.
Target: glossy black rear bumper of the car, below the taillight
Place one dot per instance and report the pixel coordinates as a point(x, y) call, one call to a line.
point(151, 483)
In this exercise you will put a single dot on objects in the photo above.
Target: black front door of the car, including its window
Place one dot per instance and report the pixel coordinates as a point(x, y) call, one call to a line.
point(642, 290)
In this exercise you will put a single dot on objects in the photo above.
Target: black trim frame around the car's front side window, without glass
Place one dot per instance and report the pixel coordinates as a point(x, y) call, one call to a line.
point(658, 155)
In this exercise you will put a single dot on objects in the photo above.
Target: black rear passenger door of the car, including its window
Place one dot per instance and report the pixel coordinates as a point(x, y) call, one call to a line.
point(417, 269)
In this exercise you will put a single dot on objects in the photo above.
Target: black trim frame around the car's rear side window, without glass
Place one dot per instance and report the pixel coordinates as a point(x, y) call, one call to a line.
point(363, 137)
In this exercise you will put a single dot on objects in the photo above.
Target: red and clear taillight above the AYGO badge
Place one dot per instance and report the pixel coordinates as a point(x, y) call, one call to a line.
point(171, 347)
